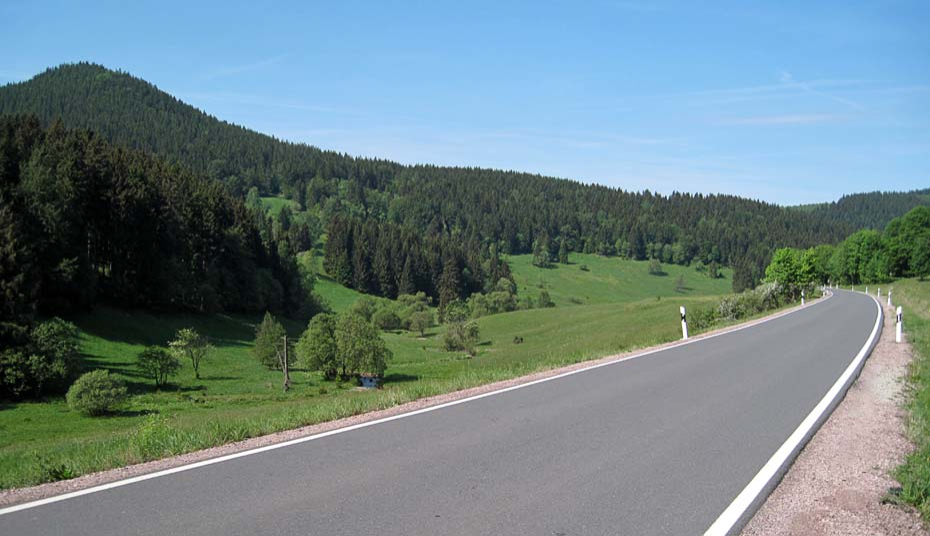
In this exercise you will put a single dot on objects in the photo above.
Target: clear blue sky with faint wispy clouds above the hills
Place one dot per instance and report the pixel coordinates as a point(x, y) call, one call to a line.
point(787, 102)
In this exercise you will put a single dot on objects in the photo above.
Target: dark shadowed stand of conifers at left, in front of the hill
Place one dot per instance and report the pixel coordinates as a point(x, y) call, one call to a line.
point(84, 222)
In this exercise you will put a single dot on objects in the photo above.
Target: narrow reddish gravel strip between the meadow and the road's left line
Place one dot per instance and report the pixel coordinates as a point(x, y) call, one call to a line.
point(21, 495)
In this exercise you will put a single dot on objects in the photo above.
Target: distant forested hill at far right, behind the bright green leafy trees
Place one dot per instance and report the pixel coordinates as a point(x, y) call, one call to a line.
point(871, 210)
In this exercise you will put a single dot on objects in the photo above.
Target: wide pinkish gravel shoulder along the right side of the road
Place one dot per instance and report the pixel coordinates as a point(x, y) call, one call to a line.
point(837, 483)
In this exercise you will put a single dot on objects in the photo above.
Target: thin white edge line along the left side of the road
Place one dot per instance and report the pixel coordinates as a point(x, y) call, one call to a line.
point(241, 454)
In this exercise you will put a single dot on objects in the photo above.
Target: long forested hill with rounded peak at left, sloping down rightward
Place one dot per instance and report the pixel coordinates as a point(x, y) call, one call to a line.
point(518, 212)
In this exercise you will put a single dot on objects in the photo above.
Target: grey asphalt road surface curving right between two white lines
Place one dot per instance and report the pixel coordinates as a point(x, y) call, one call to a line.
point(655, 445)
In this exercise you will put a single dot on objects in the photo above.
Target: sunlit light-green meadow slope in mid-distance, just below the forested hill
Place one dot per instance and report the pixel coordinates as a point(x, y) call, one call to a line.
point(611, 280)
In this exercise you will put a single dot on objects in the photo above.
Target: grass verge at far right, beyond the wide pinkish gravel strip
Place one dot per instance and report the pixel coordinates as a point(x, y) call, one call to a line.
point(914, 473)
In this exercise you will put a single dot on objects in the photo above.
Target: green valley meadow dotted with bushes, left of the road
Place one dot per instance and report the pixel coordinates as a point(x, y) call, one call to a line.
point(237, 398)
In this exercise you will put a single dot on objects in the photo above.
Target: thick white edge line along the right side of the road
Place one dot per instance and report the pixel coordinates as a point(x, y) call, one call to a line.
point(734, 512)
